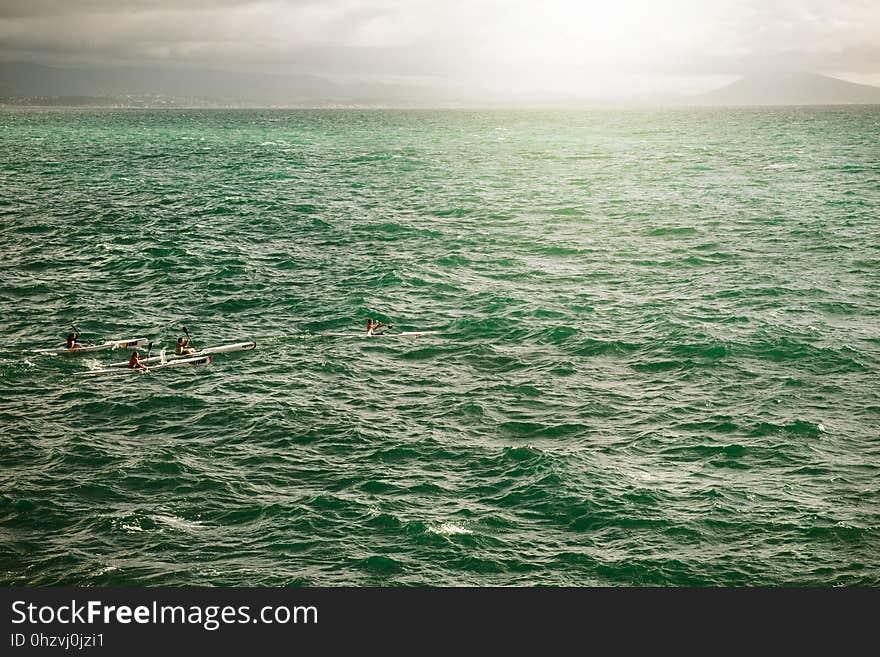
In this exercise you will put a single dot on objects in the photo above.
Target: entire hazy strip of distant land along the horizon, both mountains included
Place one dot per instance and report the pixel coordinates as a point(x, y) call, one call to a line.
point(31, 85)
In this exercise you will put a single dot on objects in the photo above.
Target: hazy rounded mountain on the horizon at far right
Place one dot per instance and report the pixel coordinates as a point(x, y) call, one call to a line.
point(790, 89)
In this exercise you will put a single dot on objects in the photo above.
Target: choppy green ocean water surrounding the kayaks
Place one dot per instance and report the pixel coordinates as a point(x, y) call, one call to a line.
point(656, 362)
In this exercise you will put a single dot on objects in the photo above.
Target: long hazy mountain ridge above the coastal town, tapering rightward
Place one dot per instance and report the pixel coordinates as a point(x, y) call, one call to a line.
point(182, 85)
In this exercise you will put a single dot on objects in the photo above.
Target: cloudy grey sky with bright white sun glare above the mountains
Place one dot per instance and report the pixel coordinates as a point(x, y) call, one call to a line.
point(576, 48)
